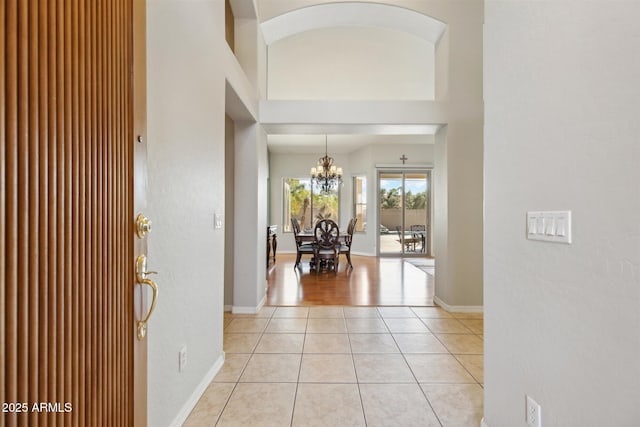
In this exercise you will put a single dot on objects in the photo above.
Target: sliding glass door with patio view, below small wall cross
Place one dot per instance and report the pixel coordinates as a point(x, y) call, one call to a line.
point(404, 212)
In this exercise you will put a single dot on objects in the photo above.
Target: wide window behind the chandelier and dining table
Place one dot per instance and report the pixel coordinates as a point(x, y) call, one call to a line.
point(307, 204)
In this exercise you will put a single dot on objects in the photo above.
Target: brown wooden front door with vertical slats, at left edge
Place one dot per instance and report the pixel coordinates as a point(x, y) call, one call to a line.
point(69, 117)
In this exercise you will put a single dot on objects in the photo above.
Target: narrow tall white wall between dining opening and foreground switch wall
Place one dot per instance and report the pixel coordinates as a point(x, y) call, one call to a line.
point(464, 104)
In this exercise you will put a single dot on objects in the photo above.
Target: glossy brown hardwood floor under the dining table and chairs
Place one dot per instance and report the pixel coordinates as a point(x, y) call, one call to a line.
point(373, 281)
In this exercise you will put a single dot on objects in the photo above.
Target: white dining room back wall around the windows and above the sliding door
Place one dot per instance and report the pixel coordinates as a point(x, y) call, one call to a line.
point(359, 162)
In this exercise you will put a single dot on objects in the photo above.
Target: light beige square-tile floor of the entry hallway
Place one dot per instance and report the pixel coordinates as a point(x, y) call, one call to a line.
point(347, 366)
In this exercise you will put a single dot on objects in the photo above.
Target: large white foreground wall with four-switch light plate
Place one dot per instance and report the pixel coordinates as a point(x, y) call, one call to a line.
point(562, 132)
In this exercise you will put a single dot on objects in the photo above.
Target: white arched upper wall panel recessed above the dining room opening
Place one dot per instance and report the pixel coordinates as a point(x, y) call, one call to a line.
point(331, 63)
